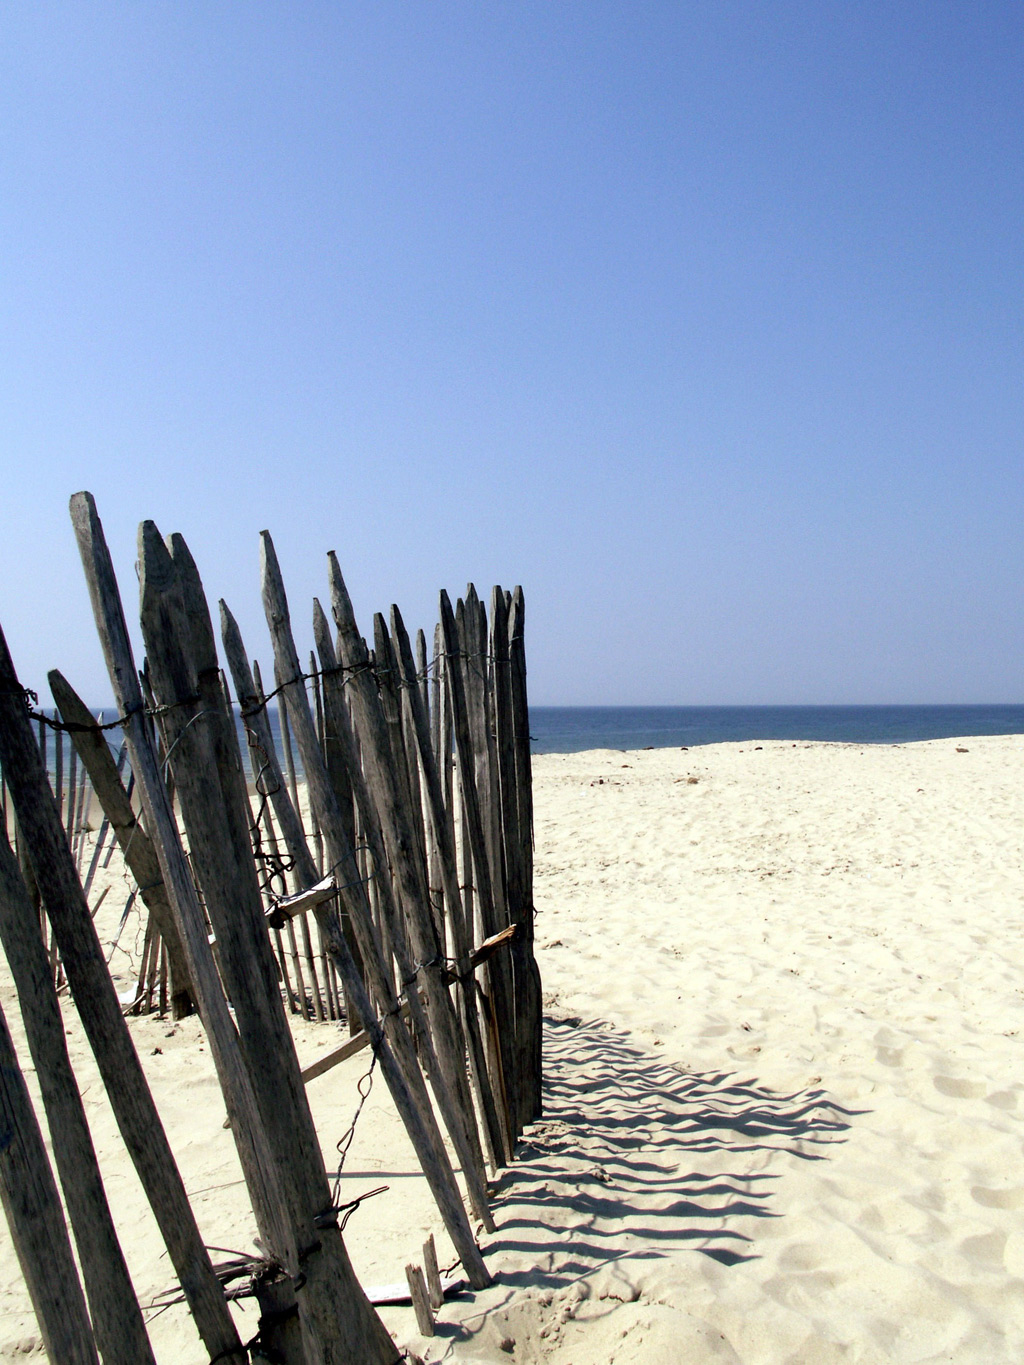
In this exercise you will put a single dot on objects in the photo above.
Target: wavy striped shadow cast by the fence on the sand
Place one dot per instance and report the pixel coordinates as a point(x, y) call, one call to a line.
point(642, 1160)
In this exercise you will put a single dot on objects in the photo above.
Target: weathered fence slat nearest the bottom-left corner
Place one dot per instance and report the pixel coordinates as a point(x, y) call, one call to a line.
point(35, 1217)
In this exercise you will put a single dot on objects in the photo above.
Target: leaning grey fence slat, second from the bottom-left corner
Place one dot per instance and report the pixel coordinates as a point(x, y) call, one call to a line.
point(115, 1311)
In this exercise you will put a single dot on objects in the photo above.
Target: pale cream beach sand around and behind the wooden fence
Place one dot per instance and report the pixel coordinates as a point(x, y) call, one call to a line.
point(784, 1071)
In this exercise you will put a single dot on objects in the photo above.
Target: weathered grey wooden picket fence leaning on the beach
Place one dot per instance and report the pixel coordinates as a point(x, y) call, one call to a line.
point(393, 891)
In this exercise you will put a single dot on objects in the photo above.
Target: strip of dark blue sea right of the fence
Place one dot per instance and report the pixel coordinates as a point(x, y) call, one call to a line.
point(570, 730)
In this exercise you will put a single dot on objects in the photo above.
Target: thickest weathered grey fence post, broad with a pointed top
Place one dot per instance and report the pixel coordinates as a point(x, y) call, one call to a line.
point(338, 1322)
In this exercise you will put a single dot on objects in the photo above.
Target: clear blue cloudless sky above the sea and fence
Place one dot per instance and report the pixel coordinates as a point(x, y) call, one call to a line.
point(701, 320)
